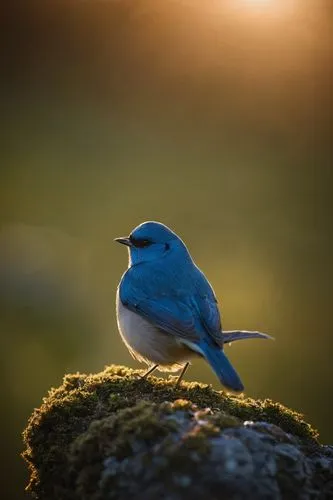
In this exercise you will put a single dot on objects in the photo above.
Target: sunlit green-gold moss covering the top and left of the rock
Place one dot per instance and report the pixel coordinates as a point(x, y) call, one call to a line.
point(92, 417)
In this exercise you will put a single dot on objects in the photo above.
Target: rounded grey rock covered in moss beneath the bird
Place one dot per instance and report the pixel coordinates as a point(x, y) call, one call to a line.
point(115, 436)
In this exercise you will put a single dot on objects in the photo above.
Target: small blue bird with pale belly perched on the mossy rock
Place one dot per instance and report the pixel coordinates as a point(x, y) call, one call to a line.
point(167, 311)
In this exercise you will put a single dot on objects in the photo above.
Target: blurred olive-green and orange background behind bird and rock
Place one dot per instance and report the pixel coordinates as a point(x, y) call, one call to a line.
point(212, 117)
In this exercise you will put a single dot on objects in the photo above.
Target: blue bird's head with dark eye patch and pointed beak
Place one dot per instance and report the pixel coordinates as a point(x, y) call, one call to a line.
point(150, 241)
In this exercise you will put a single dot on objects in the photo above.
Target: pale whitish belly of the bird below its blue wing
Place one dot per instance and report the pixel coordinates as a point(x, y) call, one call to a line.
point(148, 343)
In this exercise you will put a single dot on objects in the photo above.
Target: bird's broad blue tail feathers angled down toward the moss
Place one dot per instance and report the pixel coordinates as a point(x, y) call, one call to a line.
point(222, 367)
